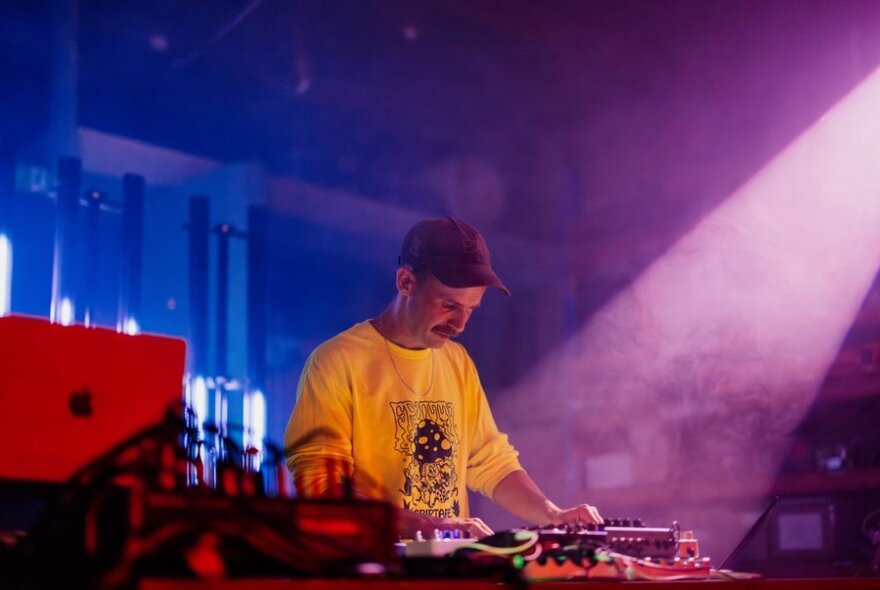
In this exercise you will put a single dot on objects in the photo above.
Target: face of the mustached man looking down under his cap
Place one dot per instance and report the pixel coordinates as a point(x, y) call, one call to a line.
point(434, 312)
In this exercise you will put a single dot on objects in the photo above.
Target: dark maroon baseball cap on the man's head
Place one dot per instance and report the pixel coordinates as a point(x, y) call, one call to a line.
point(453, 251)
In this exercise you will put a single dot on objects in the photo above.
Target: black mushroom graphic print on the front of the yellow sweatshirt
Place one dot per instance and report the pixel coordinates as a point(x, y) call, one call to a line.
point(425, 434)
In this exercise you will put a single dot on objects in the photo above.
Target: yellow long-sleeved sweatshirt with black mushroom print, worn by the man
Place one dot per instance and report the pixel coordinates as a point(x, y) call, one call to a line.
point(408, 426)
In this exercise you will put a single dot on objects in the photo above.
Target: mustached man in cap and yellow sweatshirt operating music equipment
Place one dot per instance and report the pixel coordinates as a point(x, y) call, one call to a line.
point(394, 409)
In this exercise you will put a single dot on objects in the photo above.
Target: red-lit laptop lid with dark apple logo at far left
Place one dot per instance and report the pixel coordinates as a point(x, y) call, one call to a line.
point(69, 394)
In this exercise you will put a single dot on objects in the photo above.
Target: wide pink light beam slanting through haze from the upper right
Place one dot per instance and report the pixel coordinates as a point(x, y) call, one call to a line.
point(688, 382)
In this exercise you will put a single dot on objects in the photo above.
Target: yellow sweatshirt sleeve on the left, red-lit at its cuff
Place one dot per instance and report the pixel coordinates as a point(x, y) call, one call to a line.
point(317, 441)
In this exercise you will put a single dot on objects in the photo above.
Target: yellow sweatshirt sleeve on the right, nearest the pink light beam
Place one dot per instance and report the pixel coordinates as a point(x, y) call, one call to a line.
point(491, 457)
